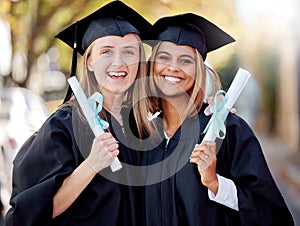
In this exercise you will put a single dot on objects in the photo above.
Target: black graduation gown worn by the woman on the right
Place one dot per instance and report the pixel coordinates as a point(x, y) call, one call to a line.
point(183, 200)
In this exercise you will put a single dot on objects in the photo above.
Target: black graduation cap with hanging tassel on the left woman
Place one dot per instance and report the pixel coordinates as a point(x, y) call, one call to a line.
point(114, 18)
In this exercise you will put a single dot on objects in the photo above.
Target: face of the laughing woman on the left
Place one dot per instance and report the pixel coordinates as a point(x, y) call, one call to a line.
point(114, 64)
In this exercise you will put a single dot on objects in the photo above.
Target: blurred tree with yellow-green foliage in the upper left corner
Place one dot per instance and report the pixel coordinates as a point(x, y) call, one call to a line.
point(34, 24)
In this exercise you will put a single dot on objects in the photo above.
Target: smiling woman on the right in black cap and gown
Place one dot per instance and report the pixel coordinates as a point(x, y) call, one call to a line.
point(201, 182)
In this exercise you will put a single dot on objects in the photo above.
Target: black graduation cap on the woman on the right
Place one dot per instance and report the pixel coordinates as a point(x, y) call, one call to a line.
point(189, 29)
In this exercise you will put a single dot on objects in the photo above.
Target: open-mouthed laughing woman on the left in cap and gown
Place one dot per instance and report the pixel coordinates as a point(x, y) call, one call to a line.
point(65, 187)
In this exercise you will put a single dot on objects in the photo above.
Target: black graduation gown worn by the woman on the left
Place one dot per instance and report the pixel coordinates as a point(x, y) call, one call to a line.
point(47, 158)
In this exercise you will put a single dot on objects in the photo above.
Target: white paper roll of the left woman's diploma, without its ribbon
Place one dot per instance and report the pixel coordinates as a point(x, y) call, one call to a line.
point(88, 113)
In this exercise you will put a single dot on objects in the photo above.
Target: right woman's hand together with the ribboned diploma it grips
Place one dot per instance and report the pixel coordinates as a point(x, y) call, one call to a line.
point(204, 154)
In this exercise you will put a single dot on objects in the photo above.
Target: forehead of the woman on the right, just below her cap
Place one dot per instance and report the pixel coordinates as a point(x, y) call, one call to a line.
point(173, 48)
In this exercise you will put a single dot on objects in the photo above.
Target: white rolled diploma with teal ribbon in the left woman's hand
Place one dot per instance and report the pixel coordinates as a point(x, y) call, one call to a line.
point(95, 123)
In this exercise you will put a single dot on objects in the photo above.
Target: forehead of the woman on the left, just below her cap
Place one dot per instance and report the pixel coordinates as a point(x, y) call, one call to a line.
point(130, 40)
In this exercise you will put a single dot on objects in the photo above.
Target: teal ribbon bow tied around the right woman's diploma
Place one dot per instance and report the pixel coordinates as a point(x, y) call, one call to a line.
point(219, 114)
